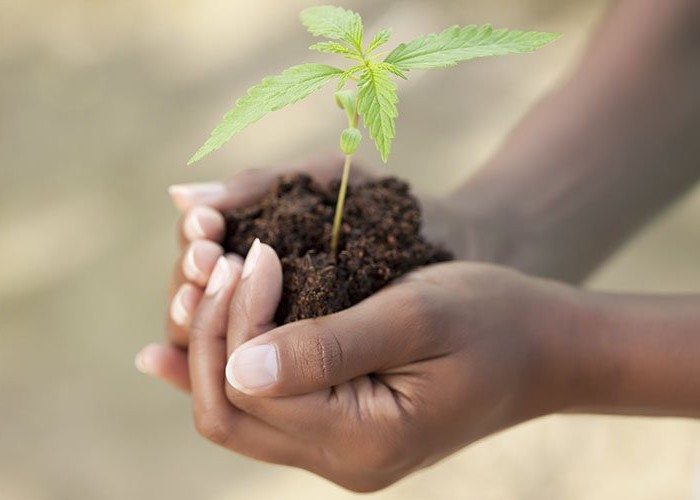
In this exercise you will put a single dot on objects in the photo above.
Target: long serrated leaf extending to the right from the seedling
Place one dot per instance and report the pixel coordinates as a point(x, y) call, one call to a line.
point(457, 44)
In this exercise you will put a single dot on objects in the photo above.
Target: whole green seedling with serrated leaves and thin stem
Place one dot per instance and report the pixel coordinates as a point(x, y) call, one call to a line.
point(374, 98)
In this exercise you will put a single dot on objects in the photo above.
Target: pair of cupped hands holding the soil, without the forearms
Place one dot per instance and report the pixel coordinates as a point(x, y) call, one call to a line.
point(441, 358)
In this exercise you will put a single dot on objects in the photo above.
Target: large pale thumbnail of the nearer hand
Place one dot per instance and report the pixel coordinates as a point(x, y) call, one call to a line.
point(252, 368)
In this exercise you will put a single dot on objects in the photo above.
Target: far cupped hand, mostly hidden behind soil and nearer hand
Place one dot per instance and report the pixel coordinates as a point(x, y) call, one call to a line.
point(202, 227)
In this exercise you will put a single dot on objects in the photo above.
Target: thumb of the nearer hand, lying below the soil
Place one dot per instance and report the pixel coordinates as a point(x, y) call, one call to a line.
point(393, 328)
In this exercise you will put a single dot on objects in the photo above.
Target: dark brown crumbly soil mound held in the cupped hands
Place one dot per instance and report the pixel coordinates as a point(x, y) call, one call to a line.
point(380, 241)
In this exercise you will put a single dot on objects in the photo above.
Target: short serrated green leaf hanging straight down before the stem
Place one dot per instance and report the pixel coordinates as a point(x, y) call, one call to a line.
point(377, 104)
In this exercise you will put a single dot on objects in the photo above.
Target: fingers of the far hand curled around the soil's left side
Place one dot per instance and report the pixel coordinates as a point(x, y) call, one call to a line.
point(200, 232)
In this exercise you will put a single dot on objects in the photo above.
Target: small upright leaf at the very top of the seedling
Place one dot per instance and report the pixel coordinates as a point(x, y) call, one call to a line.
point(335, 23)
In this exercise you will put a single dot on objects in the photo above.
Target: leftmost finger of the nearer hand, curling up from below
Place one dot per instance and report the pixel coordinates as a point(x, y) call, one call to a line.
point(215, 418)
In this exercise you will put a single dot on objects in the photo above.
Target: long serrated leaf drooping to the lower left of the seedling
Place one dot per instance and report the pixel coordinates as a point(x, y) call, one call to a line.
point(273, 93)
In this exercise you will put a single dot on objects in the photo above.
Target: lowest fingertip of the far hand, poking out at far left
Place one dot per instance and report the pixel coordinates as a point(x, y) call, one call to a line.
point(165, 362)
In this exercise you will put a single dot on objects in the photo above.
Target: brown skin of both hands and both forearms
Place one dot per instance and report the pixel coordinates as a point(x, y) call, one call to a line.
point(455, 352)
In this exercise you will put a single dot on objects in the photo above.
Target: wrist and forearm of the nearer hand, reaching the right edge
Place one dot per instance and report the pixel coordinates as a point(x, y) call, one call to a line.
point(635, 355)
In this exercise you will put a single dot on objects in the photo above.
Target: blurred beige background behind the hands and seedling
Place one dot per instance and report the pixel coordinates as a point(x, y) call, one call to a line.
point(102, 102)
